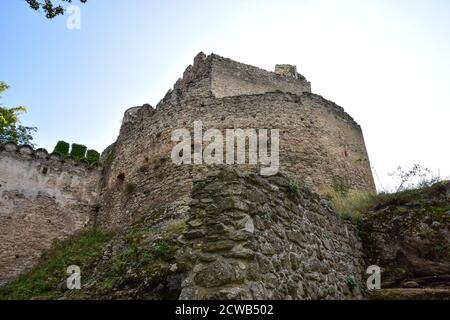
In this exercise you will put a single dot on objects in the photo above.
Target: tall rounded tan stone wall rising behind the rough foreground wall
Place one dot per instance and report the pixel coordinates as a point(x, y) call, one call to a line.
point(319, 142)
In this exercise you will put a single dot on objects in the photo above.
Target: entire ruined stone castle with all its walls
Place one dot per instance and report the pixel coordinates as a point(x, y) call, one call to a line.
point(45, 197)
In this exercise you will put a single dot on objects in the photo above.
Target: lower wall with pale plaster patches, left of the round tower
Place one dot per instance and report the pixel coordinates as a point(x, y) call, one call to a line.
point(42, 198)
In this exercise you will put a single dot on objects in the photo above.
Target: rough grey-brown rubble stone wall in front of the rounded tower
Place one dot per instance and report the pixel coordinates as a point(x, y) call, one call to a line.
point(255, 238)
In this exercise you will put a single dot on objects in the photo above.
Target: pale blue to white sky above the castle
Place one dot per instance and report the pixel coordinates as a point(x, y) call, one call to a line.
point(386, 62)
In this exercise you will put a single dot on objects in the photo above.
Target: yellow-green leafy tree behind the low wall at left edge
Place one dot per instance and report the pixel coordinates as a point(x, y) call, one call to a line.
point(10, 128)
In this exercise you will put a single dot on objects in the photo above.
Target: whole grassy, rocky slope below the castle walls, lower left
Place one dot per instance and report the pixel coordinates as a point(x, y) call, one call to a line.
point(125, 265)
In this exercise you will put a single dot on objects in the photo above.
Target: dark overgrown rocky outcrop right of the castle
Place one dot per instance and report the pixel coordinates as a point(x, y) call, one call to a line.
point(408, 236)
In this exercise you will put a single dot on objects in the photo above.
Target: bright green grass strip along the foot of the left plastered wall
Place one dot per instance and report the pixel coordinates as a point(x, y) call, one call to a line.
point(44, 280)
